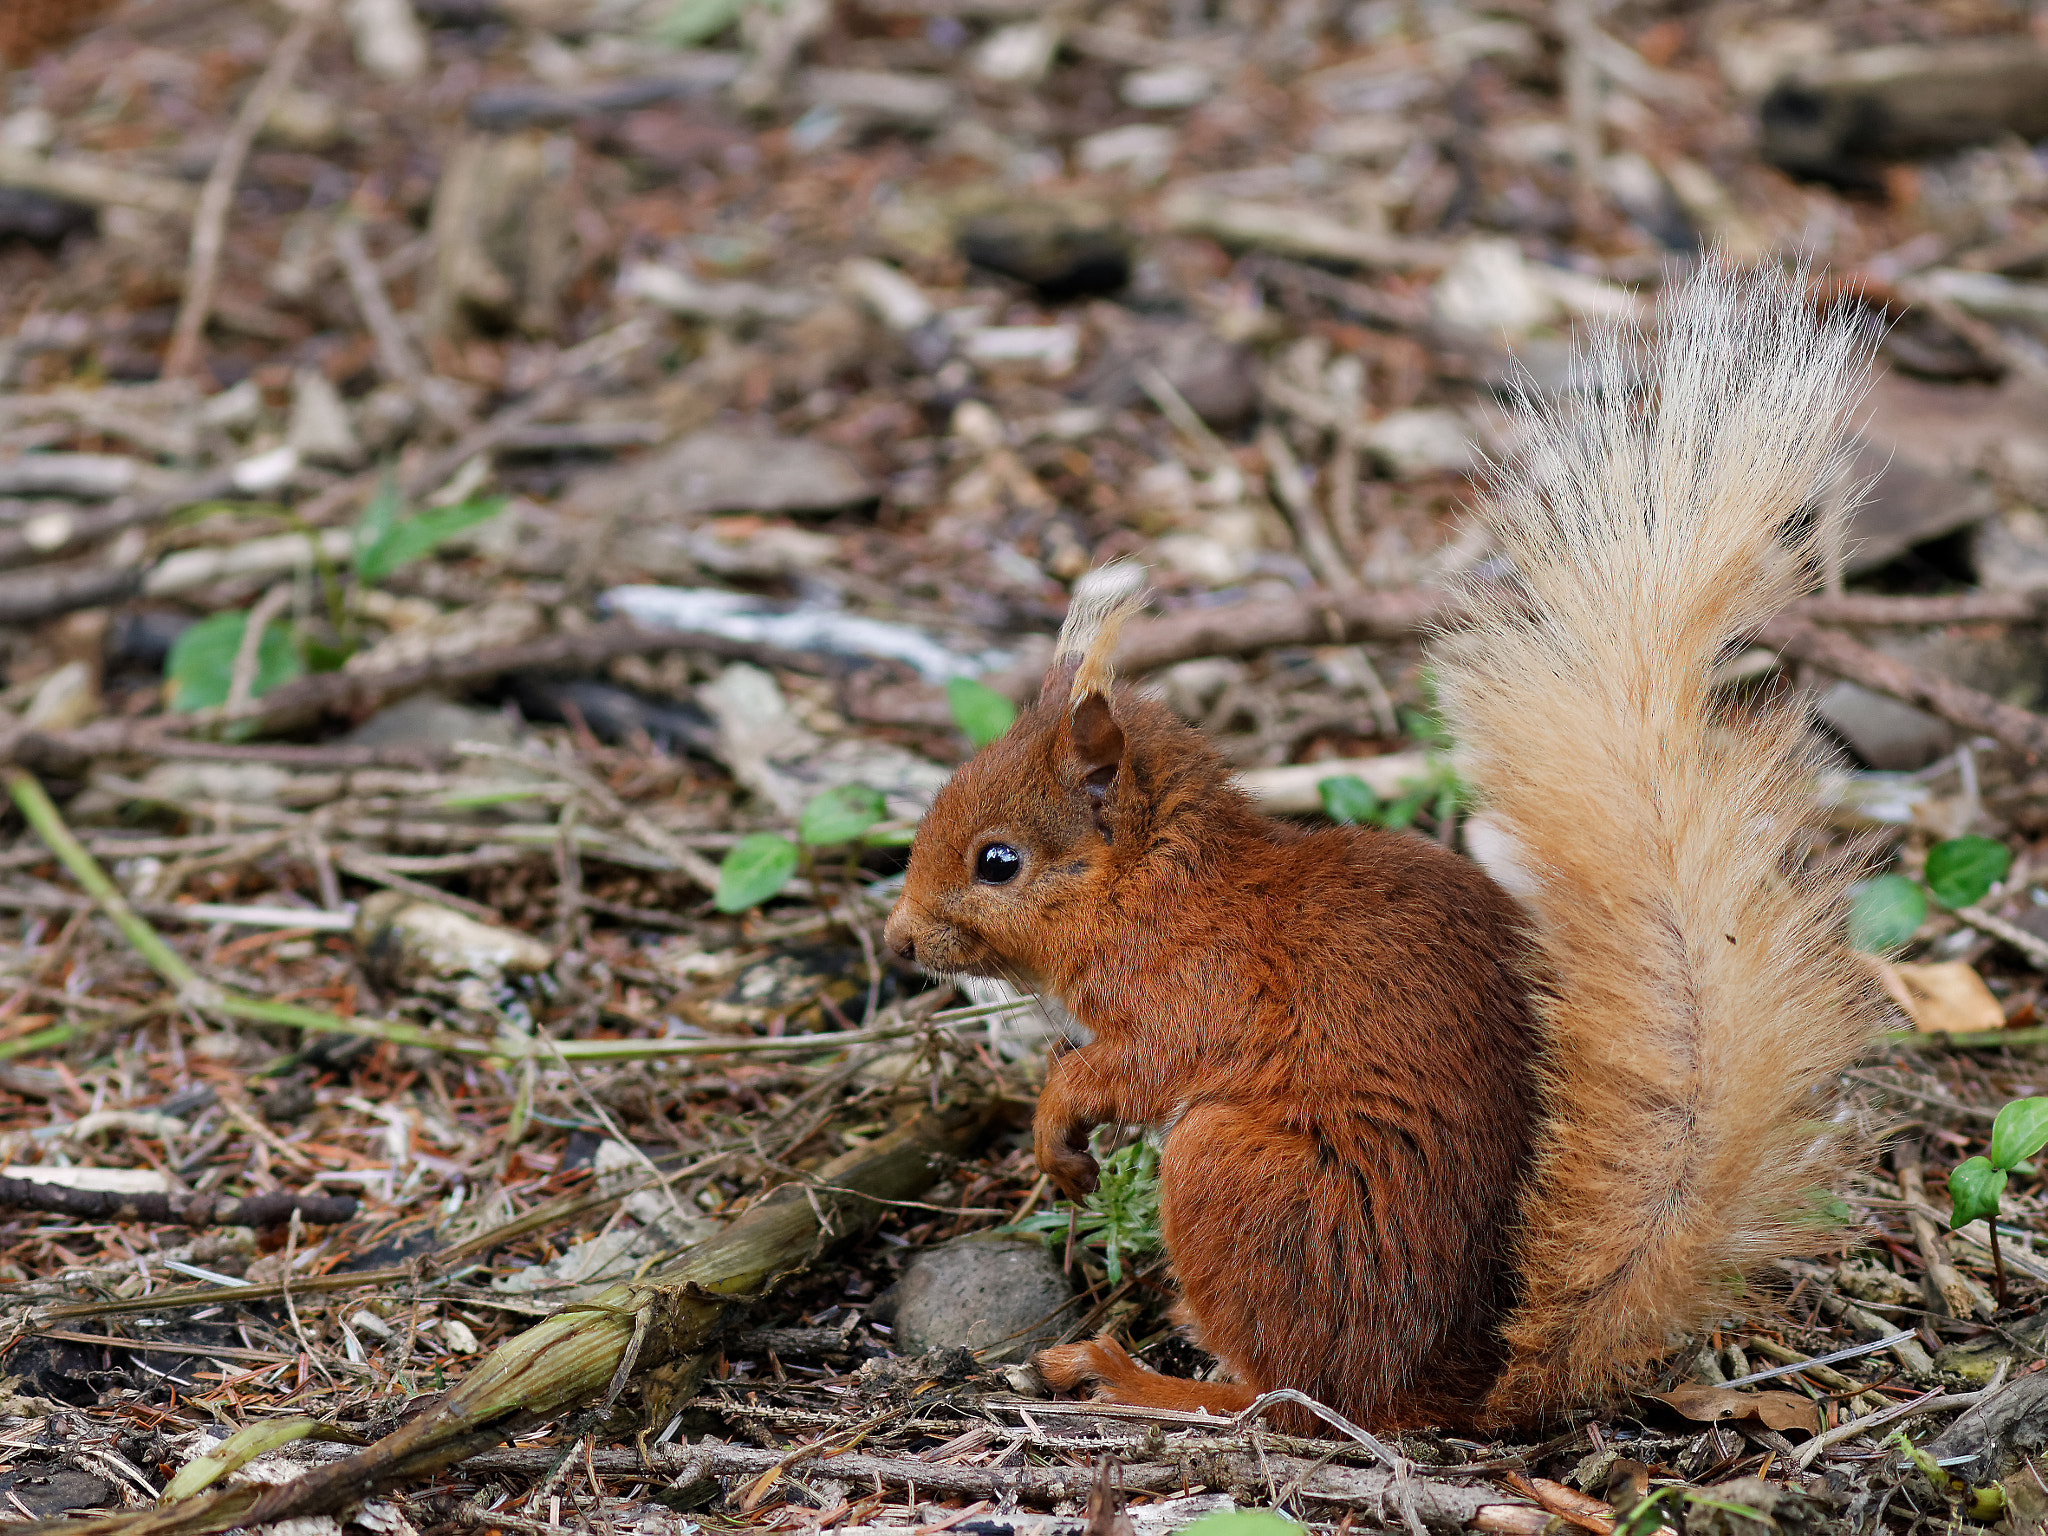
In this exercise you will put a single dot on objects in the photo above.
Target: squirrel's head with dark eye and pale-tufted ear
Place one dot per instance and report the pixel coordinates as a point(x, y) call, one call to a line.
point(1015, 857)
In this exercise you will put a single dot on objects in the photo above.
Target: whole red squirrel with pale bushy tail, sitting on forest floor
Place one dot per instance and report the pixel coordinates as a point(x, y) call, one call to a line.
point(1439, 1154)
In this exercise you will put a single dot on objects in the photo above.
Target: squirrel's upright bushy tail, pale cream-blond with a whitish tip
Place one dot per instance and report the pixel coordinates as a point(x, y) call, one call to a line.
point(1701, 992)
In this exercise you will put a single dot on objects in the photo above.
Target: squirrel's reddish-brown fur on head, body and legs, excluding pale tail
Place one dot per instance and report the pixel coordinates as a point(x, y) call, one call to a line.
point(1336, 1025)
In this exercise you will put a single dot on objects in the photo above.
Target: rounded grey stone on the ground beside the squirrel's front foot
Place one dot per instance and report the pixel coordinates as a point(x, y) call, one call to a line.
point(990, 1293)
